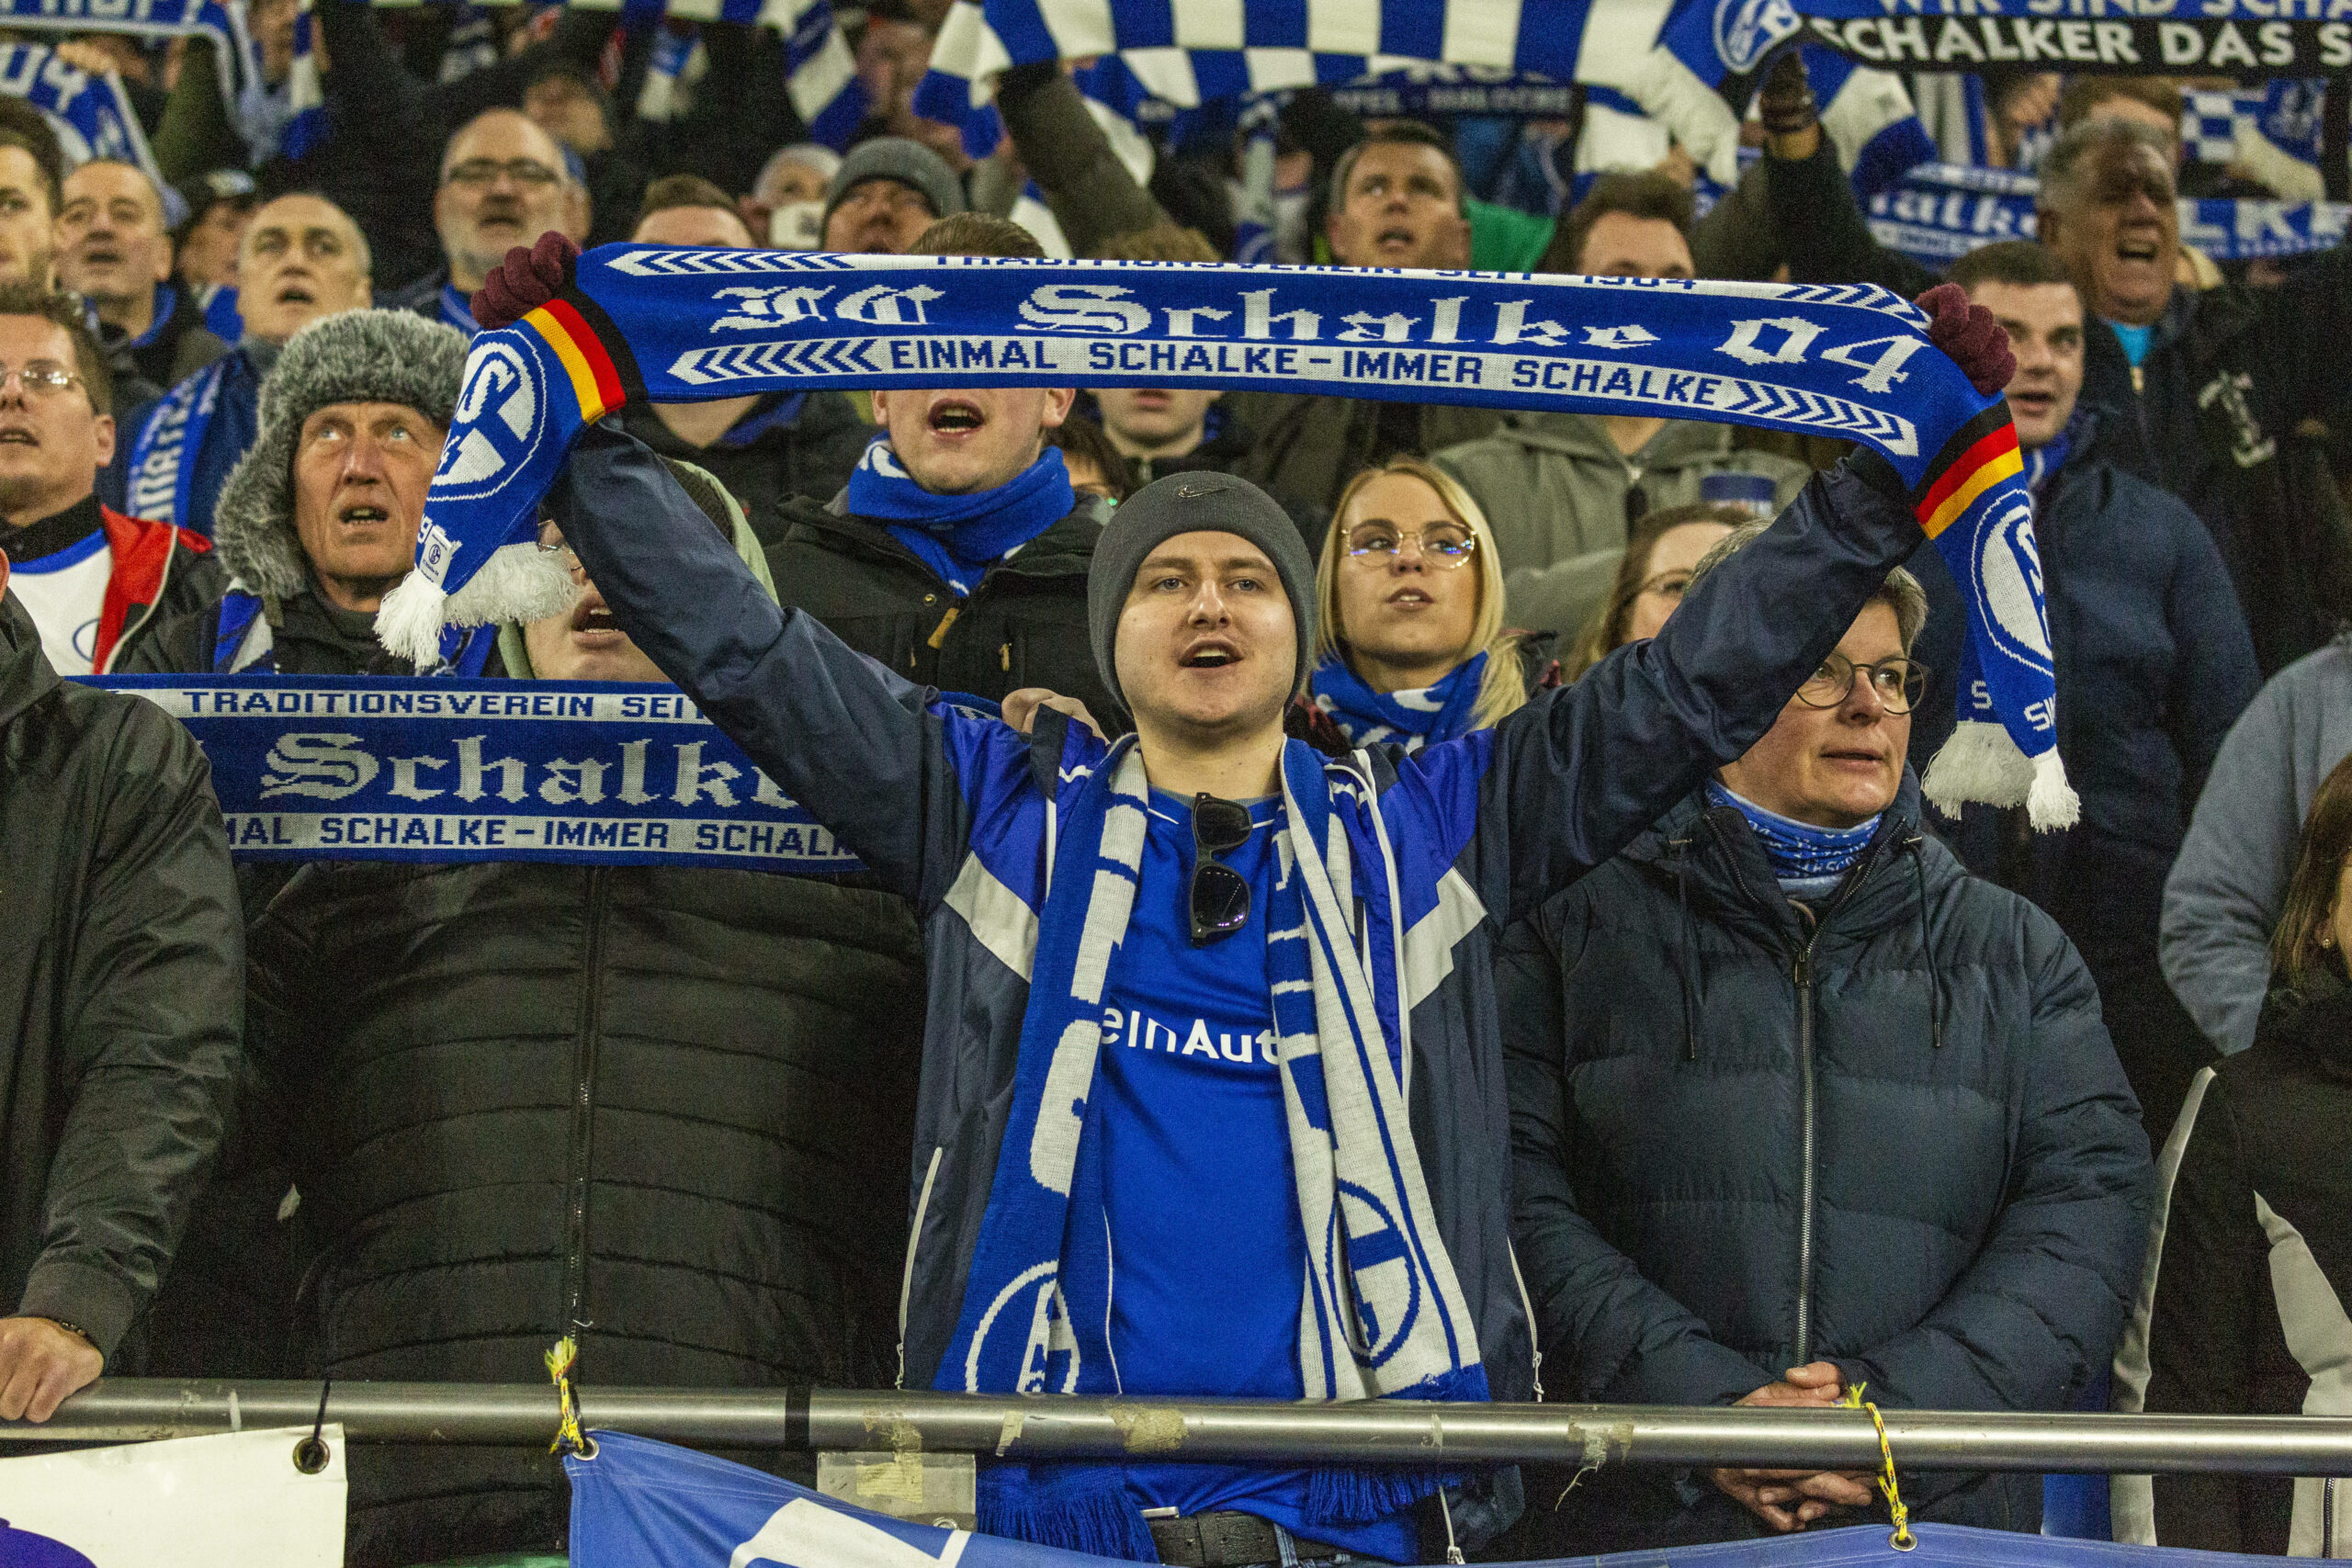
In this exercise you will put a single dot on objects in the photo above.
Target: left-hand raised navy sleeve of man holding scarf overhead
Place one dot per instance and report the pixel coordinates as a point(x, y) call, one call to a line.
point(853, 746)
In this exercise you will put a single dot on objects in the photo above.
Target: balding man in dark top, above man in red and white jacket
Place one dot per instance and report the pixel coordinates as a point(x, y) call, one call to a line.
point(114, 250)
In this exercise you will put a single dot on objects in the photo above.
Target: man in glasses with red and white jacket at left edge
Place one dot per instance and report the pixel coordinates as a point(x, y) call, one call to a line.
point(95, 582)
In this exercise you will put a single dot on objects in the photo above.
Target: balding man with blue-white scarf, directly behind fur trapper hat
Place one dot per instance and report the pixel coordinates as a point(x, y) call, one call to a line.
point(302, 260)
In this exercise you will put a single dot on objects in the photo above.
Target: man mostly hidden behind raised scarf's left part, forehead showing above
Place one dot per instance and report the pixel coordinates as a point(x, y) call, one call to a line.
point(768, 448)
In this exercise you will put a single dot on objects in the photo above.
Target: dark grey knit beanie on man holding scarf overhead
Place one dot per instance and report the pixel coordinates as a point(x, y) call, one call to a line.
point(1194, 504)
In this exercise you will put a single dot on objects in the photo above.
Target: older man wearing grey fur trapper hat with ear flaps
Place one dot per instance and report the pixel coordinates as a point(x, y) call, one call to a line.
point(321, 518)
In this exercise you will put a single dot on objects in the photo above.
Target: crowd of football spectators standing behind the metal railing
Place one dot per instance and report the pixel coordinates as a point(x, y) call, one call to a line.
point(1744, 1073)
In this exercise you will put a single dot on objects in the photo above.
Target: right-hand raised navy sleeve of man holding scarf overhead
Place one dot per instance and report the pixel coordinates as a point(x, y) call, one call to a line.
point(1584, 770)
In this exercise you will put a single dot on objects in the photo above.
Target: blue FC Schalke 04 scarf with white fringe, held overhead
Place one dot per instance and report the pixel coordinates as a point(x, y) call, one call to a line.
point(679, 326)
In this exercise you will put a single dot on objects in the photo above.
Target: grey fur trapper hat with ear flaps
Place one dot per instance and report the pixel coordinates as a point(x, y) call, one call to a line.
point(359, 356)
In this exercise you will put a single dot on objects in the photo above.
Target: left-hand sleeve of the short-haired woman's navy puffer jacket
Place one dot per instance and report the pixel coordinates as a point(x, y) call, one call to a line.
point(1608, 1332)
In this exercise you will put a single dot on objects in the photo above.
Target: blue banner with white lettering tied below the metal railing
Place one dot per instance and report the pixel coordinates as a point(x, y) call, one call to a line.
point(648, 1503)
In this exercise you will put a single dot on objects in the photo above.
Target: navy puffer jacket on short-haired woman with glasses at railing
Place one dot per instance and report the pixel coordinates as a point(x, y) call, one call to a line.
point(1897, 1141)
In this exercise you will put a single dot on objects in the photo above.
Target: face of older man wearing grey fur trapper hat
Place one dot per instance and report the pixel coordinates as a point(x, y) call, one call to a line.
point(361, 478)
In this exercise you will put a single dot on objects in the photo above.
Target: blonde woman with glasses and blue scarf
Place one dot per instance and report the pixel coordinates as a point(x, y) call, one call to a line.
point(1410, 615)
